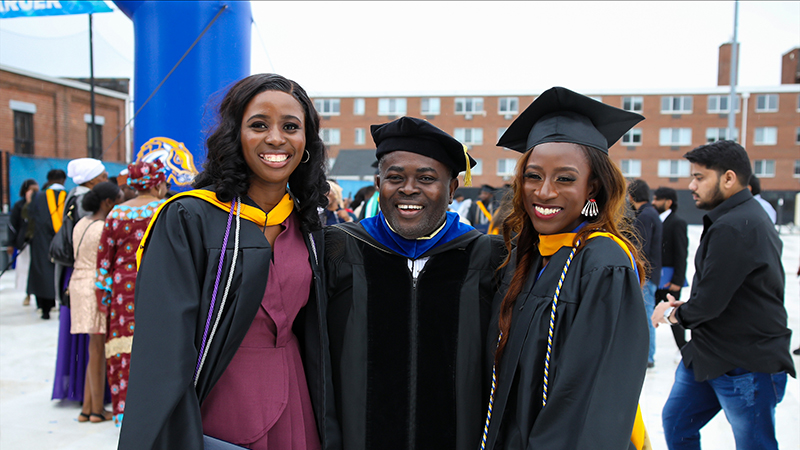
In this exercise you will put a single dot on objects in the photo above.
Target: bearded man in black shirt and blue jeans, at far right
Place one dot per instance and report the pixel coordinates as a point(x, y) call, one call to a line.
point(738, 358)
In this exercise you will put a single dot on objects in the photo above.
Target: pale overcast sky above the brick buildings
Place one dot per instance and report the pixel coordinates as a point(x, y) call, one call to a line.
point(340, 48)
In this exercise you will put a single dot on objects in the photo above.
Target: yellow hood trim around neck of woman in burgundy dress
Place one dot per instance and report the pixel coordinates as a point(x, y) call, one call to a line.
point(275, 217)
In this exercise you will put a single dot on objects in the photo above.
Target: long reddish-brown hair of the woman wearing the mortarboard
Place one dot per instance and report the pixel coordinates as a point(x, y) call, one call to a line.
point(611, 203)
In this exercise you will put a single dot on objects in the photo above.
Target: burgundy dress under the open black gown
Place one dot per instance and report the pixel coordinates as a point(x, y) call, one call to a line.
point(261, 401)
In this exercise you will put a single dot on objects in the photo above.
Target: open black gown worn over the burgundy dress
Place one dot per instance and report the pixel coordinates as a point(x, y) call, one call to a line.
point(173, 295)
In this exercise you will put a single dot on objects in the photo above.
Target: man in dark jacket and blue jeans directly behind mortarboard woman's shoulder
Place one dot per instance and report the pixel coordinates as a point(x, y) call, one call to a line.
point(648, 227)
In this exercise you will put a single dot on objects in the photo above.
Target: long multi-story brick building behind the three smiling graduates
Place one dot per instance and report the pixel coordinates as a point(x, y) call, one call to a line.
point(677, 120)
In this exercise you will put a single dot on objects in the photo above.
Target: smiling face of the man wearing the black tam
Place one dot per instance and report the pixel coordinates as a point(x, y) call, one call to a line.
point(415, 191)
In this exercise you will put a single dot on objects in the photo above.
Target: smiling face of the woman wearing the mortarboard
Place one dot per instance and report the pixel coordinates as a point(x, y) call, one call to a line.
point(557, 183)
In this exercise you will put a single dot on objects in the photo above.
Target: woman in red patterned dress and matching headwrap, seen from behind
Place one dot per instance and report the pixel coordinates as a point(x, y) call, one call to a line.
point(116, 271)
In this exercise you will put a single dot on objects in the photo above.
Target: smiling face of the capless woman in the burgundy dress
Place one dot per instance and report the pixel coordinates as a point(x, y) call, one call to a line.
point(273, 138)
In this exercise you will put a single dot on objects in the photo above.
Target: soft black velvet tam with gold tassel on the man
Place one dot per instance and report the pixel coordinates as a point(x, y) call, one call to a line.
point(420, 136)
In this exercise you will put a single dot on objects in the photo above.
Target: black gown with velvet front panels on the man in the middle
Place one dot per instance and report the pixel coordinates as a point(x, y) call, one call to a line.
point(406, 355)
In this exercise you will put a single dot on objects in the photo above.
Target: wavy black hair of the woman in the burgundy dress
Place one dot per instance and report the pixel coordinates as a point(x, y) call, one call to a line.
point(227, 173)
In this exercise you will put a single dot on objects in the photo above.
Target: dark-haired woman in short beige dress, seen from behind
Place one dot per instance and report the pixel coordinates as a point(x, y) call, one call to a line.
point(85, 316)
